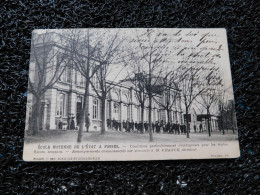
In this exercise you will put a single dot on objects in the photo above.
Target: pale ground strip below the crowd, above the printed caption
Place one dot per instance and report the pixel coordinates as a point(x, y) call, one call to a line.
point(59, 136)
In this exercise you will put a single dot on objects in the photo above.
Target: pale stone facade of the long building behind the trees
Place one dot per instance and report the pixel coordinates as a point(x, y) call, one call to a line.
point(65, 99)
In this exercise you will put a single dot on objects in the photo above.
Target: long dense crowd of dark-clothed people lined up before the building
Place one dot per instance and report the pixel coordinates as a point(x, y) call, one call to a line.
point(158, 127)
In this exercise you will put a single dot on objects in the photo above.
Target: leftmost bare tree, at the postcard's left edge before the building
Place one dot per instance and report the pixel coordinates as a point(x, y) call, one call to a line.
point(47, 64)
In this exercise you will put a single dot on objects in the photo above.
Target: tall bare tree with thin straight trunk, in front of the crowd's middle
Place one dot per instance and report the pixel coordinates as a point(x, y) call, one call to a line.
point(150, 50)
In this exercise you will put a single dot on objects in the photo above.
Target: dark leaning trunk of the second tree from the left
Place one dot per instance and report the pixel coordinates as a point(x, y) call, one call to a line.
point(84, 110)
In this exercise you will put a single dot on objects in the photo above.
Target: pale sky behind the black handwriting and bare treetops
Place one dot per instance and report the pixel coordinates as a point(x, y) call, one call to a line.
point(181, 43)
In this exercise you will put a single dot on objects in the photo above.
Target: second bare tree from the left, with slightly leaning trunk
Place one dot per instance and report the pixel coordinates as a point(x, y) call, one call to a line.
point(84, 47)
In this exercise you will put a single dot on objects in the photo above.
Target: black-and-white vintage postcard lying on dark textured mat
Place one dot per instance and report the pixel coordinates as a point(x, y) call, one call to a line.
point(130, 94)
